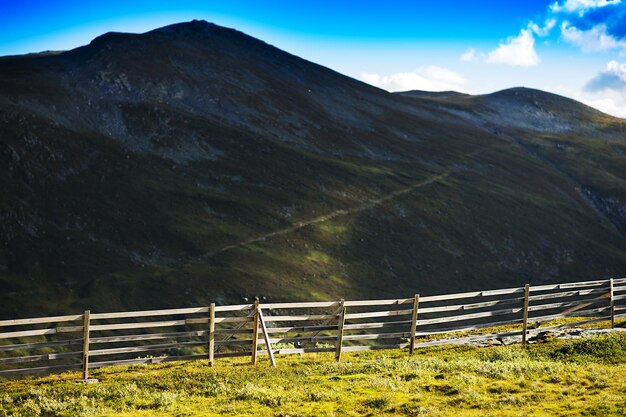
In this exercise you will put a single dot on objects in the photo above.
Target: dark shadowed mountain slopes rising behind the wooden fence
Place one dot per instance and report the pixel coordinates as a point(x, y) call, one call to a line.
point(194, 163)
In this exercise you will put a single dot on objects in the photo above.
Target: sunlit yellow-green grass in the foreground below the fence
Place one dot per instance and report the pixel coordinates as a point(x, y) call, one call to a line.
point(582, 377)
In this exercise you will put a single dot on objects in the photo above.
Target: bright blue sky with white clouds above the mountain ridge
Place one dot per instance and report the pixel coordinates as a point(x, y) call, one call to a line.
point(572, 47)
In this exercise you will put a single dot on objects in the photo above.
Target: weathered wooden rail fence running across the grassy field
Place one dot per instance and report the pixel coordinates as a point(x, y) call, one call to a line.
point(92, 340)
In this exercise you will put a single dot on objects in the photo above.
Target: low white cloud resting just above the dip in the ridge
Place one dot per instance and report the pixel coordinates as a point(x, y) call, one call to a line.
point(431, 78)
